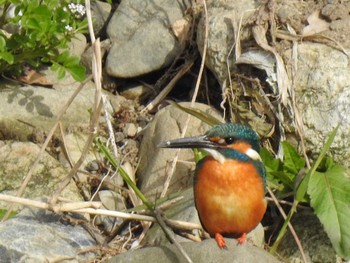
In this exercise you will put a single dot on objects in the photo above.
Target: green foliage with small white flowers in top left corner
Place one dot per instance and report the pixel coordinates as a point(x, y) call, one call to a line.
point(36, 32)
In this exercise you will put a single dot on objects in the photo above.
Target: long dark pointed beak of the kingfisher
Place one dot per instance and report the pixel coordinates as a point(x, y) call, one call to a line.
point(189, 142)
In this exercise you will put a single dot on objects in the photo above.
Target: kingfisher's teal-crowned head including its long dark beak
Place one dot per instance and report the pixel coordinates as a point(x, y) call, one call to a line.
point(220, 139)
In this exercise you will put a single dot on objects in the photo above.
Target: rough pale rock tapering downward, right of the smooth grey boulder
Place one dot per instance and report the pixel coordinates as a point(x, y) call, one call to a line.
point(223, 18)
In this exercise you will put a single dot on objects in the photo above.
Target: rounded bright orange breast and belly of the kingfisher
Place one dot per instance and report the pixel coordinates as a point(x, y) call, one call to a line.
point(229, 197)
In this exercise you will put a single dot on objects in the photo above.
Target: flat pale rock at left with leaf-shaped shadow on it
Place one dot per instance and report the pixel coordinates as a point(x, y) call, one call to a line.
point(24, 109)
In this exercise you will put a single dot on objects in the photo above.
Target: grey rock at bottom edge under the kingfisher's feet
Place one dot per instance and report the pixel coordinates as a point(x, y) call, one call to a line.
point(206, 251)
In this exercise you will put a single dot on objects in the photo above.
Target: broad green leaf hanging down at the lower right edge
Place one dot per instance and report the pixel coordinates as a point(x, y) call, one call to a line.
point(330, 198)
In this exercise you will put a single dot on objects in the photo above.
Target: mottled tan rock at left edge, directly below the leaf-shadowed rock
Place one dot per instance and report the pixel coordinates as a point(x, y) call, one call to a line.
point(16, 159)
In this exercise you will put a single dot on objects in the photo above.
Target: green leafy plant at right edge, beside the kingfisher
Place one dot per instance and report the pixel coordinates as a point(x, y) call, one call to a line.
point(326, 187)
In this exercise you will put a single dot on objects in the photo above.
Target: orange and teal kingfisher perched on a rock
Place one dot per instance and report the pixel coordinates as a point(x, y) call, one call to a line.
point(229, 183)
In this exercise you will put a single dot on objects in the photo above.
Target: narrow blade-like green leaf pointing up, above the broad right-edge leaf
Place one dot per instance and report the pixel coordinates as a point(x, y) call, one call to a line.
point(303, 185)
